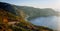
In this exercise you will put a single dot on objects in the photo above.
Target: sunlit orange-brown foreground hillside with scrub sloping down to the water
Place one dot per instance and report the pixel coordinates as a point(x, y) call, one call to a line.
point(20, 25)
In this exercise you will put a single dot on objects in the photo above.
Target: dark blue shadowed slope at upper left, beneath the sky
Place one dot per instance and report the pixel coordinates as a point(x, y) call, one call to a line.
point(7, 7)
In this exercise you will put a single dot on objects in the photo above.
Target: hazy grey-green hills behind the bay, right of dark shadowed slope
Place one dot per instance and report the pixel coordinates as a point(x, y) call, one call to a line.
point(36, 12)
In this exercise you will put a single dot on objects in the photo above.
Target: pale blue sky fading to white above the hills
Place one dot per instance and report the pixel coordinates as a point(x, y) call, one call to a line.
point(55, 4)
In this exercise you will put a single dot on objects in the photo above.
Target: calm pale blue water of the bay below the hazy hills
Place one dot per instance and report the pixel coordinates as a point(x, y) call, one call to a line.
point(51, 22)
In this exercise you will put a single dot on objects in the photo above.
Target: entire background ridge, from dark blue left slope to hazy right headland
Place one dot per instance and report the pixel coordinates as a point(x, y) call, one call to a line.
point(30, 12)
